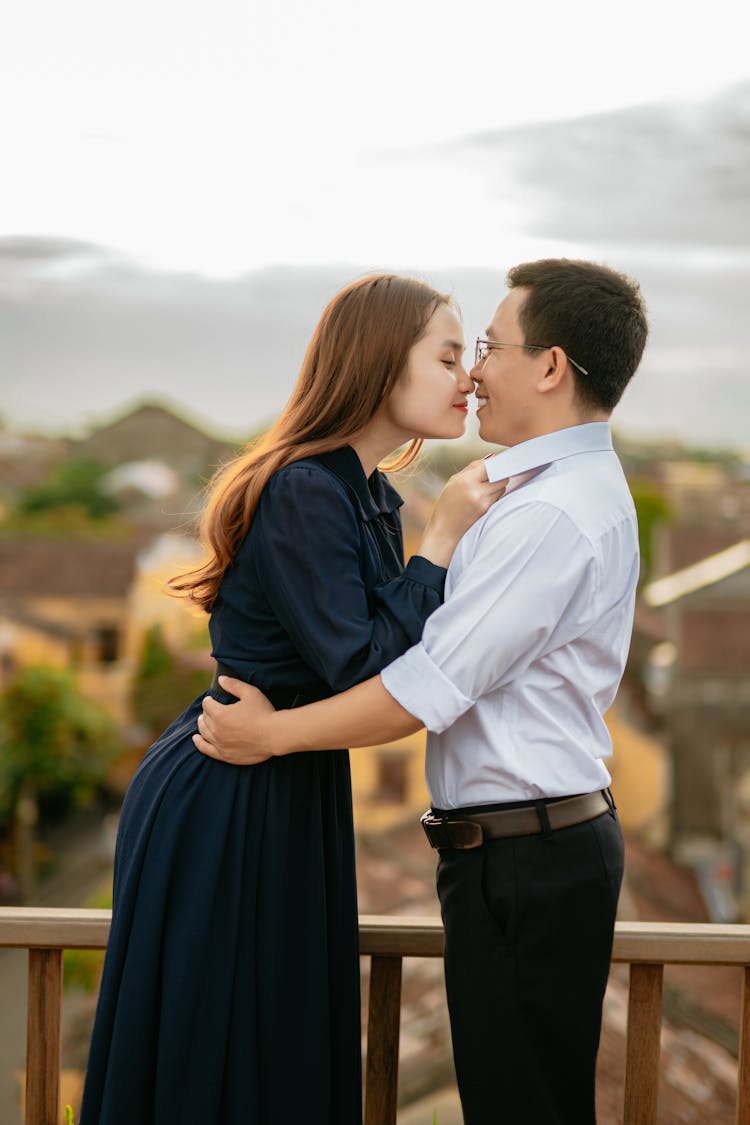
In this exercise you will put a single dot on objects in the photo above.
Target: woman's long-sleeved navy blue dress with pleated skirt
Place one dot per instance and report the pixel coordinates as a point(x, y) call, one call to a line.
point(231, 986)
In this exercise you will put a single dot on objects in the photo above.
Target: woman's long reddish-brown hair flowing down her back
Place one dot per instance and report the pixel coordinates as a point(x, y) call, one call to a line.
point(358, 352)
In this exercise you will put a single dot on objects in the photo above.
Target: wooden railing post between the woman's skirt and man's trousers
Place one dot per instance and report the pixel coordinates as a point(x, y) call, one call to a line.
point(384, 1028)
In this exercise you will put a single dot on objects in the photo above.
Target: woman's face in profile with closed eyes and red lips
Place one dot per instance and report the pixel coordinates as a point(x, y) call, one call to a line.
point(430, 398)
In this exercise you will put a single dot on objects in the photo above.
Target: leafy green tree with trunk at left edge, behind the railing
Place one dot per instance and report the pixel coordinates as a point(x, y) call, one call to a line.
point(53, 743)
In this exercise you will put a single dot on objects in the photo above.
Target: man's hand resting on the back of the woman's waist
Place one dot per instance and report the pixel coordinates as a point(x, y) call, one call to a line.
point(236, 733)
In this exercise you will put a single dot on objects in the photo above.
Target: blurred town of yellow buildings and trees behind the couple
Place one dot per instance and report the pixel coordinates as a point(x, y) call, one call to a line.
point(95, 661)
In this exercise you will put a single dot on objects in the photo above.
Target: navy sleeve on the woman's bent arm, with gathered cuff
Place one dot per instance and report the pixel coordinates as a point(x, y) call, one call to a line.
point(309, 554)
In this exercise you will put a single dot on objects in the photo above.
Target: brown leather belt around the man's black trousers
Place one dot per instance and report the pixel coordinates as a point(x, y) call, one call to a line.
point(460, 832)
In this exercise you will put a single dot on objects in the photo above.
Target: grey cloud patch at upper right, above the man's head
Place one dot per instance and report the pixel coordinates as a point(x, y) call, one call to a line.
point(674, 174)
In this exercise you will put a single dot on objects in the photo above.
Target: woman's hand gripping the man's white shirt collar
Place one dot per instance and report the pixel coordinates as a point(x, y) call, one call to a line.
point(466, 498)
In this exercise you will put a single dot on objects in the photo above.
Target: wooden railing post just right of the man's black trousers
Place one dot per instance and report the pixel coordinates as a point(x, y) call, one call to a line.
point(644, 1043)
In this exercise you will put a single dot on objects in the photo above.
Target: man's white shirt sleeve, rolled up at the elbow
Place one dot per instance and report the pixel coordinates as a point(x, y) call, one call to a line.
point(529, 588)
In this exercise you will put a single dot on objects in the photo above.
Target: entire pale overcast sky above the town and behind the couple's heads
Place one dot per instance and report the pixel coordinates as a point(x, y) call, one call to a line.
point(238, 164)
